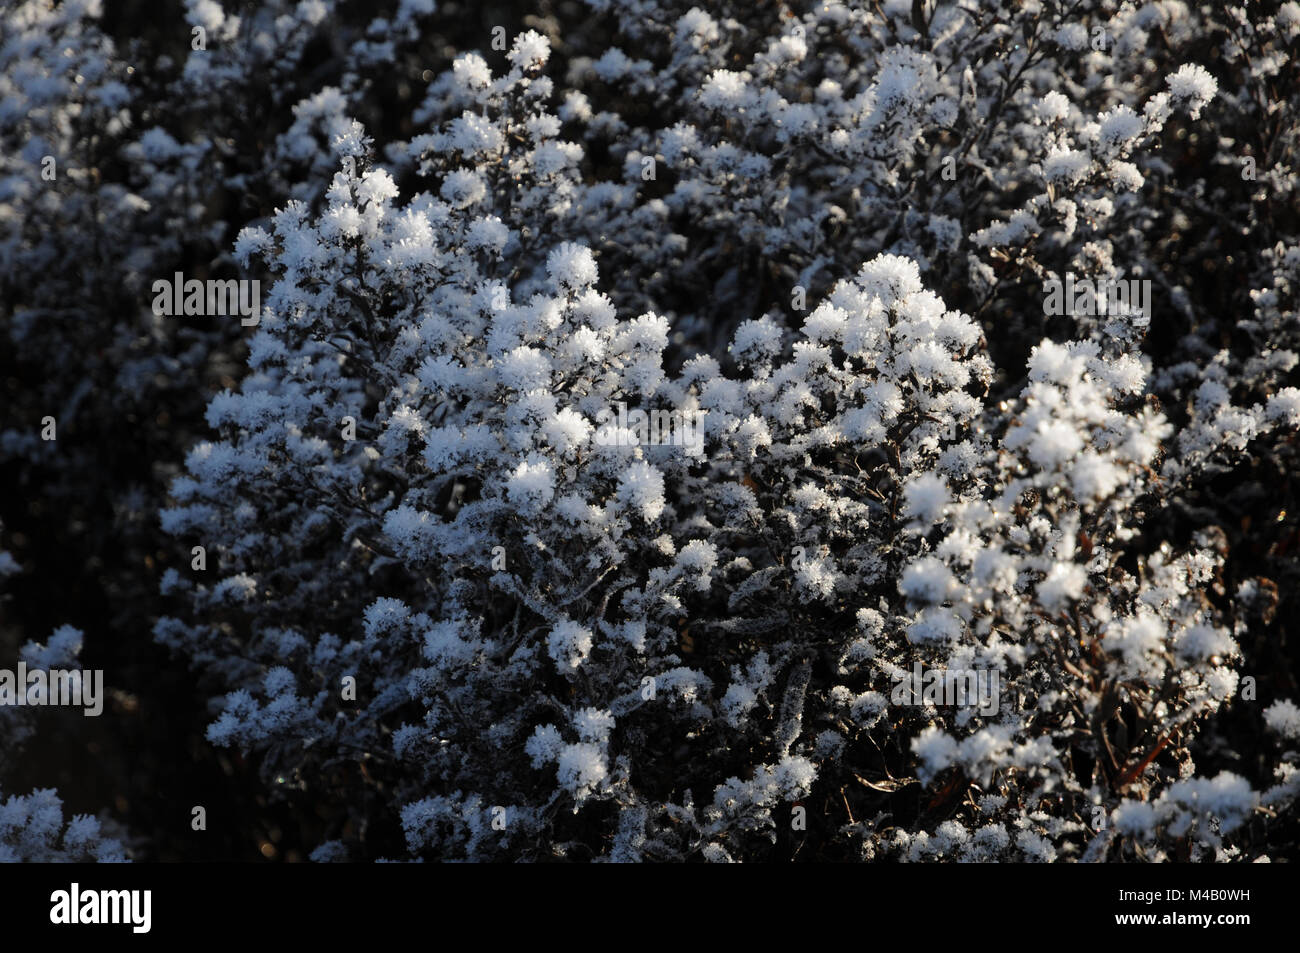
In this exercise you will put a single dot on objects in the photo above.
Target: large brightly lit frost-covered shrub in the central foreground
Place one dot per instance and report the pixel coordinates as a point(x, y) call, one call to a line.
point(536, 617)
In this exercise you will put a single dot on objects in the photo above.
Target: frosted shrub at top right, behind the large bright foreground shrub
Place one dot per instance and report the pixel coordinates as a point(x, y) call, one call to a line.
point(994, 145)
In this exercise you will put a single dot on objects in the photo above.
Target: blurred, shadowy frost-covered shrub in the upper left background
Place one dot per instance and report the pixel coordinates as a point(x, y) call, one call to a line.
point(125, 159)
